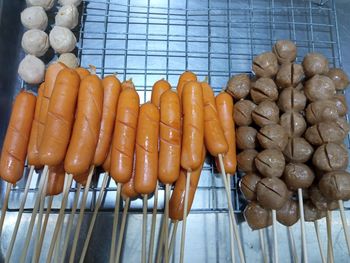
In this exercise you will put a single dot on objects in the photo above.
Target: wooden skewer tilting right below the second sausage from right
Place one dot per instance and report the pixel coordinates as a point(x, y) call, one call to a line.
point(231, 212)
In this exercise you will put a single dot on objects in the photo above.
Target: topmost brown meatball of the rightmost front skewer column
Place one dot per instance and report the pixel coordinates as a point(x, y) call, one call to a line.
point(315, 63)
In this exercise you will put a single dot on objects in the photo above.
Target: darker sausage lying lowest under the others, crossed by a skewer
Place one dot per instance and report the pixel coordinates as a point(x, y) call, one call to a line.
point(177, 200)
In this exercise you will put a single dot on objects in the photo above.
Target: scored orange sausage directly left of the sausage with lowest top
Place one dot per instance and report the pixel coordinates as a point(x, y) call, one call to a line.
point(124, 135)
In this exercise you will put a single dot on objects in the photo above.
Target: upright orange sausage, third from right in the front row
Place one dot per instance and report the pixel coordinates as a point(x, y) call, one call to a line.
point(193, 126)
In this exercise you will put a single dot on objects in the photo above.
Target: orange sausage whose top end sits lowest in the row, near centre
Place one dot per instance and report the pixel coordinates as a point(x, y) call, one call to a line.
point(146, 168)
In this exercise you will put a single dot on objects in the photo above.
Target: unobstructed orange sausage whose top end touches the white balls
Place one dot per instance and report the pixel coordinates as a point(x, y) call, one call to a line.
point(60, 117)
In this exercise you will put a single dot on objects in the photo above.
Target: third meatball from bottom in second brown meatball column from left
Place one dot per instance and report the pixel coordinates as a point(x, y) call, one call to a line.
point(273, 136)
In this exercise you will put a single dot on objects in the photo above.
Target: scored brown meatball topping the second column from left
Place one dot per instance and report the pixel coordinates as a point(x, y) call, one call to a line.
point(265, 65)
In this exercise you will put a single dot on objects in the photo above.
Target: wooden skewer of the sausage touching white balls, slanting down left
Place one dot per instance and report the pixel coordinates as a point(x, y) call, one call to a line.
point(42, 182)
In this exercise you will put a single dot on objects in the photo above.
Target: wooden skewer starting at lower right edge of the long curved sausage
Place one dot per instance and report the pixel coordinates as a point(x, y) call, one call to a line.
point(81, 215)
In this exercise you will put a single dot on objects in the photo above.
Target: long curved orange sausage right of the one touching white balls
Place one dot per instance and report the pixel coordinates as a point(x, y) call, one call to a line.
point(82, 146)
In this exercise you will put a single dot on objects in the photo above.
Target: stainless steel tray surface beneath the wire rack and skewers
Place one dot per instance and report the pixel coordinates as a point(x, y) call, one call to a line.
point(153, 39)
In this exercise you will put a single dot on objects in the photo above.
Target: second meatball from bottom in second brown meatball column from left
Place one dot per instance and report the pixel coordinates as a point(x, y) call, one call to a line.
point(270, 163)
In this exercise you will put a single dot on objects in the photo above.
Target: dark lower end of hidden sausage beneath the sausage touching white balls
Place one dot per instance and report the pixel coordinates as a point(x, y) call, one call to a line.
point(55, 181)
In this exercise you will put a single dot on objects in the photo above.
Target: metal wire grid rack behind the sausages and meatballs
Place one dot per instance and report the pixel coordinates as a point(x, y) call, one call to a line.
point(147, 41)
